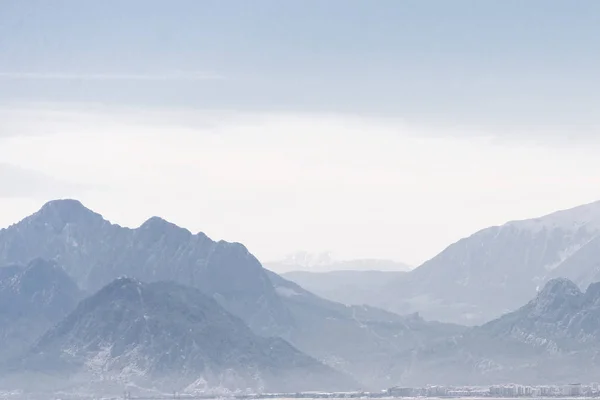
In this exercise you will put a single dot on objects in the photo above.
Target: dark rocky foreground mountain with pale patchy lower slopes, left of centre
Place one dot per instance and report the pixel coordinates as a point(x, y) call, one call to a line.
point(171, 337)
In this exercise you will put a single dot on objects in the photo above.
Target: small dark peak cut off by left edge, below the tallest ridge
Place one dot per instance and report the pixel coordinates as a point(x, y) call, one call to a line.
point(32, 299)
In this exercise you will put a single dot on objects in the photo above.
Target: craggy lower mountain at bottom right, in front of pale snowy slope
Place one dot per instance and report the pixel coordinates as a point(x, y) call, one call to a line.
point(554, 338)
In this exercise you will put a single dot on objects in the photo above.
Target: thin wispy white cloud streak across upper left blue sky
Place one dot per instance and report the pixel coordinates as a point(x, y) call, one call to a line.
point(171, 76)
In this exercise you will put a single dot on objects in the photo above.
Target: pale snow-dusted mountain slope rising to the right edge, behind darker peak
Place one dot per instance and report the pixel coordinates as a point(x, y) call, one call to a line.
point(498, 269)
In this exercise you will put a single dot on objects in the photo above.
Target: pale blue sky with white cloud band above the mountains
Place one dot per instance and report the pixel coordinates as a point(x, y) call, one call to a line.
point(385, 129)
